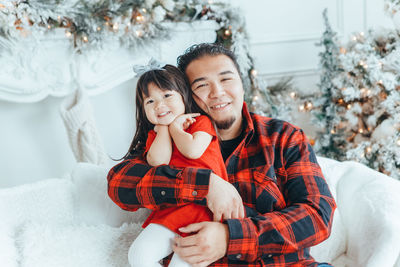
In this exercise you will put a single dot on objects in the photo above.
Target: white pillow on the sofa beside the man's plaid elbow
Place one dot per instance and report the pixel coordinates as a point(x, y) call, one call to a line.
point(92, 203)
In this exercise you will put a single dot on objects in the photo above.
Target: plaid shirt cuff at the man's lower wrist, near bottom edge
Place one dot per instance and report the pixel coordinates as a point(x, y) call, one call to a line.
point(243, 241)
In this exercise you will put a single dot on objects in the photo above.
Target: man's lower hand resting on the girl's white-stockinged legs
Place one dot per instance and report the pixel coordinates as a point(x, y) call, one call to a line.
point(207, 245)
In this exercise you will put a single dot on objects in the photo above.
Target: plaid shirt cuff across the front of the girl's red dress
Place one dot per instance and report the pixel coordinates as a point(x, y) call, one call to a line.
point(194, 185)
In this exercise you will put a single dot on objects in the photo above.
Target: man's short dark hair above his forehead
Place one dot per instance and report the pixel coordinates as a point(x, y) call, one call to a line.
point(198, 51)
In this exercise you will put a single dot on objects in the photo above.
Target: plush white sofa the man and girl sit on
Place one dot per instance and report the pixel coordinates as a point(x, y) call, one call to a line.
point(70, 221)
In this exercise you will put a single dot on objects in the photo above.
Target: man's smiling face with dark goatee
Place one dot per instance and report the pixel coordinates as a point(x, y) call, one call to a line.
point(218, 90)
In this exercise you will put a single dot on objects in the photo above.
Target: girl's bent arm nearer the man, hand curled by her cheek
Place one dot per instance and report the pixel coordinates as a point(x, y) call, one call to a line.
point(191, 146)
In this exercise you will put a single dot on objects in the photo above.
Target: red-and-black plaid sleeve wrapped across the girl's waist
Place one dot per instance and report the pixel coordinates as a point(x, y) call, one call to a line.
point(134, 184)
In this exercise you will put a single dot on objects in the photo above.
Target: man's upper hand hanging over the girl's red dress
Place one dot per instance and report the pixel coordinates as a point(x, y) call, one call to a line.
point(224, 200)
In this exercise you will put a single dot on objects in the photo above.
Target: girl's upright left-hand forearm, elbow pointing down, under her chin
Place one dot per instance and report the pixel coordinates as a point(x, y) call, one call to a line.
point(161, 149)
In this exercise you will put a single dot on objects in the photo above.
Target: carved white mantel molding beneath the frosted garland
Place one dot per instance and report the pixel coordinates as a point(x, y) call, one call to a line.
point(34, 69)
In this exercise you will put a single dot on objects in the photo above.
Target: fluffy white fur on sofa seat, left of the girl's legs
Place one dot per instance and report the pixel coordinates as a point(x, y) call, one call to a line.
point(45, 245)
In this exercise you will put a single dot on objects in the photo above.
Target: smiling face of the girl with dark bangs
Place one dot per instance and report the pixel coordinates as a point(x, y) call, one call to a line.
point(162, 106)
